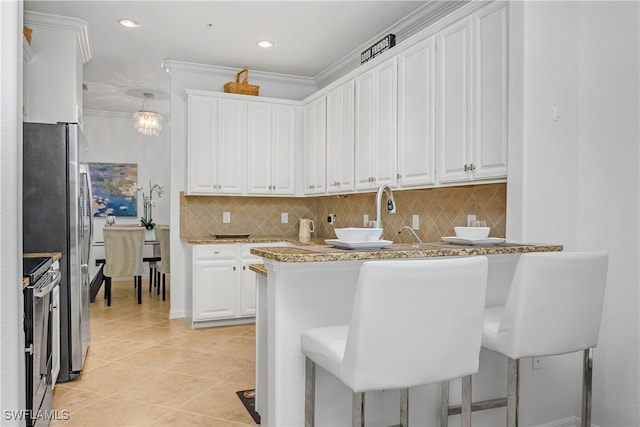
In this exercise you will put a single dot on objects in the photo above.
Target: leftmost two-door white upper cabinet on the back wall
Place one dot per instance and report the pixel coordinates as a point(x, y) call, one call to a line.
point(216, 145)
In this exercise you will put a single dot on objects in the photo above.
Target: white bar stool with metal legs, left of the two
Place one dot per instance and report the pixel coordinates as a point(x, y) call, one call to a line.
point(414, 322)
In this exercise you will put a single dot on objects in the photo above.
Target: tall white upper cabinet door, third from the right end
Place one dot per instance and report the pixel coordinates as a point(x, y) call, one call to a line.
point(416, 115)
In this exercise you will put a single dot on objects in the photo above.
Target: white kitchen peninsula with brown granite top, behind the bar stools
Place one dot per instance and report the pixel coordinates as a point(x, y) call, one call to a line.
point(314, 285)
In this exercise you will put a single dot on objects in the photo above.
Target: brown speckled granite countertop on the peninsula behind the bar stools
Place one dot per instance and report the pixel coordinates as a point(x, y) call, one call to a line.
point(323, 253)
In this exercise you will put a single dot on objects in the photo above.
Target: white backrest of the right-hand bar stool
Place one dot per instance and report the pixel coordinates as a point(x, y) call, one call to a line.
point(554, 304)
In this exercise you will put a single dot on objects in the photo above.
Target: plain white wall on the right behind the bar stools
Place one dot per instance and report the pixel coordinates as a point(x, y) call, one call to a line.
point(575, 181)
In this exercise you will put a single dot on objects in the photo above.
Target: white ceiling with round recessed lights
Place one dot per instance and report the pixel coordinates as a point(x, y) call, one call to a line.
point(310, 36)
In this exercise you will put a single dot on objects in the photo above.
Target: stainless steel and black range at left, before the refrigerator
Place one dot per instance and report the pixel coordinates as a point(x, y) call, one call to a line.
point(38, 332)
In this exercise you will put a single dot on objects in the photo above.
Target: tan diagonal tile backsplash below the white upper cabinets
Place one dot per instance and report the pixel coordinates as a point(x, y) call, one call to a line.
point(439, 210)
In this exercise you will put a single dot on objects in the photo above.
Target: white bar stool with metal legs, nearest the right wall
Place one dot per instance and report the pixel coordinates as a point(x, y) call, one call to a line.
point(554, 307)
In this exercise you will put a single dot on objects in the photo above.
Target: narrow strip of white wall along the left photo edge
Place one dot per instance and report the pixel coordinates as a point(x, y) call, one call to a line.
point(12, 390)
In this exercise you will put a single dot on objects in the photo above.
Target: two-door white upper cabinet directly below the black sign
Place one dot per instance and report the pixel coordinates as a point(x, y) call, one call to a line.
point(376, 127)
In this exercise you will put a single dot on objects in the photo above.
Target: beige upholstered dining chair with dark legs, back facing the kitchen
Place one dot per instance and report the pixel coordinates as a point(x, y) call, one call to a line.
point(123, 256)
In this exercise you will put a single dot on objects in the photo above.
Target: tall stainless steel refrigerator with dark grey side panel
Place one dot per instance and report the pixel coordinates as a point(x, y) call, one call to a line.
point(57, 218)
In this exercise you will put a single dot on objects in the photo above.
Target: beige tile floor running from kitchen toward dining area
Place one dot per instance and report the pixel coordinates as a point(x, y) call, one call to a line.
point(143, 369)
